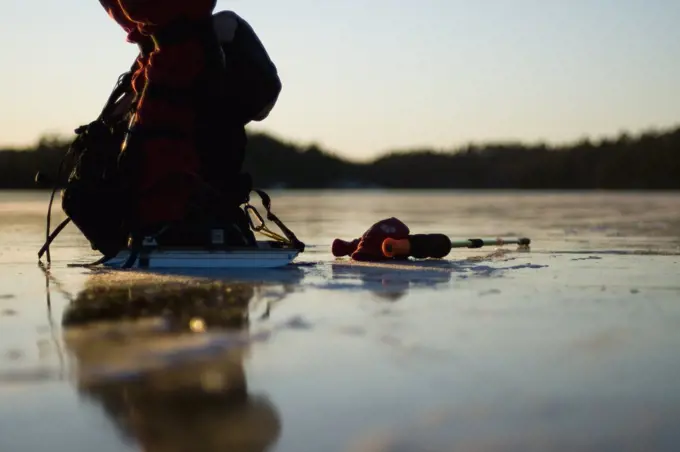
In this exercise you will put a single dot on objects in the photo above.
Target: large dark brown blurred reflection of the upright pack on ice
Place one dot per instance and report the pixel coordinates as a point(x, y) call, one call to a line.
point(164, 360)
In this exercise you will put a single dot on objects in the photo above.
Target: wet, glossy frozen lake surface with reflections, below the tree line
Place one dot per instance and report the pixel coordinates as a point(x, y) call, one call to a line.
point(570, 346)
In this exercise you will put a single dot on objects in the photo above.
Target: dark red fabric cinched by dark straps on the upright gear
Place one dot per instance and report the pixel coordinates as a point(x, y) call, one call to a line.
point(175, 66)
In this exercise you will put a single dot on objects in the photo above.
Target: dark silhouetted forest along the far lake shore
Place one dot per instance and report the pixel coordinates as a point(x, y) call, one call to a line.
point(649, 161)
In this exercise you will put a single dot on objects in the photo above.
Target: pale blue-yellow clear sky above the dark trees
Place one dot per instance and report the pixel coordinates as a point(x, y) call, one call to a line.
point(365, 76)
